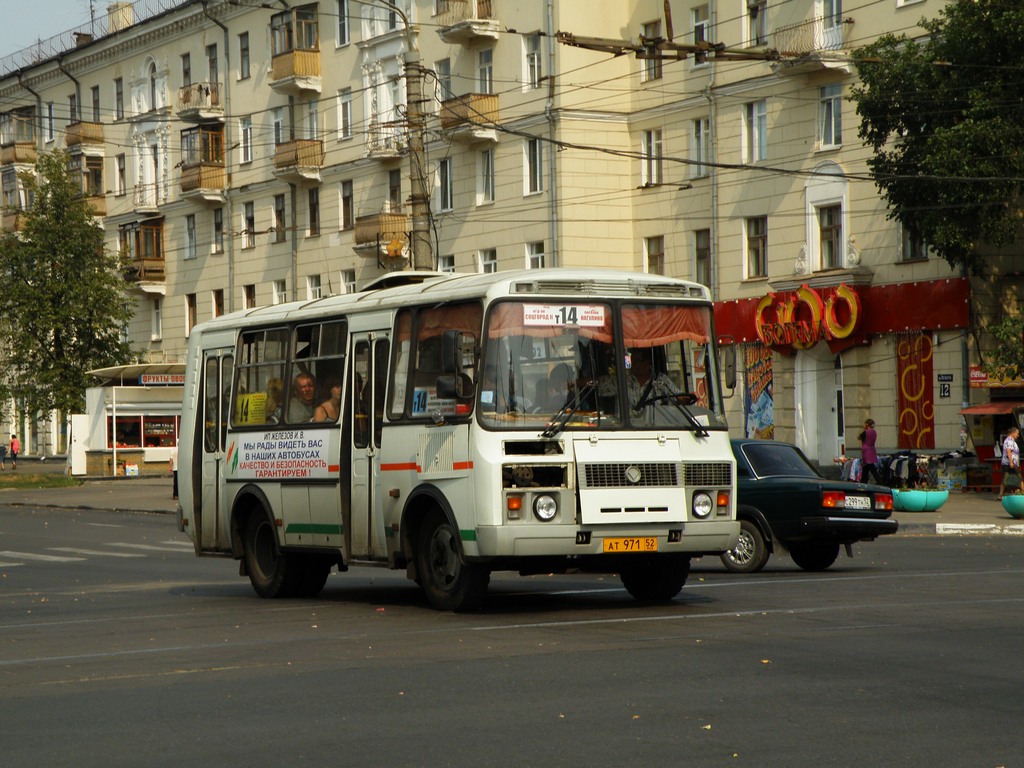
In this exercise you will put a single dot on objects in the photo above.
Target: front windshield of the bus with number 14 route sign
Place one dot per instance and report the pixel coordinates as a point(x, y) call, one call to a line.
point(559, 366)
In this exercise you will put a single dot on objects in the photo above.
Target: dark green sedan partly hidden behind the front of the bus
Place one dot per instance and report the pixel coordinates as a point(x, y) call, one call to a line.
point(784, 505)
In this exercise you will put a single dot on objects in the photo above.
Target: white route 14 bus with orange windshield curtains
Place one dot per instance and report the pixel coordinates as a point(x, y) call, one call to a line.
point(538, 421)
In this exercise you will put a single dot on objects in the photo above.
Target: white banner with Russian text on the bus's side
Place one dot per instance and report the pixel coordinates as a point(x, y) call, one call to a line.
point(280, 456)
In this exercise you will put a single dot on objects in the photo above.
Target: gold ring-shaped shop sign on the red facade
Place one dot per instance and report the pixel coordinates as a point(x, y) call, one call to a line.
point(802, 319)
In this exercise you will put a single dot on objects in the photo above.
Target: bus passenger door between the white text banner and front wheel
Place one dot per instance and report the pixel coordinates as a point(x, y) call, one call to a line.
point(367, 383)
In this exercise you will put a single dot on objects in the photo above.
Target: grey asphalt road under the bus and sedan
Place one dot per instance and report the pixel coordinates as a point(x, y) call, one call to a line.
point(129, 651)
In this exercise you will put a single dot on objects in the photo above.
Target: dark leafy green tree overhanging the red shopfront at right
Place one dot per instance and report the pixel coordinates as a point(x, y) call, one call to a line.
point(946, 119)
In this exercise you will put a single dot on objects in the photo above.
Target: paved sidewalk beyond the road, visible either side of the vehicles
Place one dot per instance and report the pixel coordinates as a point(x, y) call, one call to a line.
point(964, 515)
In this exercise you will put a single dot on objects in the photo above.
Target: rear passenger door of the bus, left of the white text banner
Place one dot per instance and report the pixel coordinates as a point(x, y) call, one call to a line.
point(219, 366)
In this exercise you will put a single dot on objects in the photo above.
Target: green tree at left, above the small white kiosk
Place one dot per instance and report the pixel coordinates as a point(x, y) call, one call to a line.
point(63, 298)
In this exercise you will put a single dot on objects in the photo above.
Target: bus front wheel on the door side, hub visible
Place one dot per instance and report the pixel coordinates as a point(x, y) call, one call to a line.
point(449, 582)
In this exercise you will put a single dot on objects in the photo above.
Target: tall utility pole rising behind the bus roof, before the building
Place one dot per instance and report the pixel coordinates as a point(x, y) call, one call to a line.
point(422, 252)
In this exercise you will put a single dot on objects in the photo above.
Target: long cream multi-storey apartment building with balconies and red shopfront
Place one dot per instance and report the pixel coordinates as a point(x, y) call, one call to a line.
point(244, 155)
